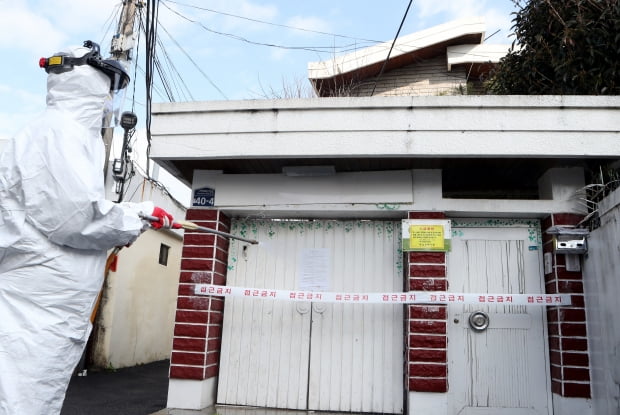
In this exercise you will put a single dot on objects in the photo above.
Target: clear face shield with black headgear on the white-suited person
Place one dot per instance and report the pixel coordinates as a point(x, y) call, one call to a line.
point(113, 69)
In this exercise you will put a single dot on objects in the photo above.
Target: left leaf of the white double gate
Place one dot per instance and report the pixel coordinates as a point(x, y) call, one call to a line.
point(264, 356)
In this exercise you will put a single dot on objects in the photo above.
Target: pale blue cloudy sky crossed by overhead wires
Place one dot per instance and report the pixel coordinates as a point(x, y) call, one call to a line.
point(217, 49)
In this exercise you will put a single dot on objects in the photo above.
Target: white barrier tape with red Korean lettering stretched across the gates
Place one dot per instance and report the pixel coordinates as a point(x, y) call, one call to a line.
point(410, 297)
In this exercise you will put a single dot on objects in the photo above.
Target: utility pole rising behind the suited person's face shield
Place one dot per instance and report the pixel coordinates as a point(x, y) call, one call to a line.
point(121, 48)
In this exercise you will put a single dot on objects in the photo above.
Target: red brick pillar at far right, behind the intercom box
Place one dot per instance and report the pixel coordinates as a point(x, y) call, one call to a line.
point(568, 342)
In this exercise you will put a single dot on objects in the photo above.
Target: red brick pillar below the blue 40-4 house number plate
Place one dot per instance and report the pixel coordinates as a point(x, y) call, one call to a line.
point(198, 321)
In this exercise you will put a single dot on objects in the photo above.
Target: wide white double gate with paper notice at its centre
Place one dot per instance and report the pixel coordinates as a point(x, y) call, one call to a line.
point(314, 356)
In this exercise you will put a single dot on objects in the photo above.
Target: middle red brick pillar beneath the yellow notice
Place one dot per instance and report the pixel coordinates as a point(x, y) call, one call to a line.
point(427, 341)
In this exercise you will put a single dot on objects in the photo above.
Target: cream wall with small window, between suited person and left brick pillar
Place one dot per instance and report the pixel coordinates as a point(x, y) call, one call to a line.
point(136, 316)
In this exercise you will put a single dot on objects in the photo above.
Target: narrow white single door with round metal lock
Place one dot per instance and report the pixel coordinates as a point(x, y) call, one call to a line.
point(503, 369)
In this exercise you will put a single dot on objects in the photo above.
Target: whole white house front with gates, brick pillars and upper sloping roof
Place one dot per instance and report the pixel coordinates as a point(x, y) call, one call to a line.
point(324, 185)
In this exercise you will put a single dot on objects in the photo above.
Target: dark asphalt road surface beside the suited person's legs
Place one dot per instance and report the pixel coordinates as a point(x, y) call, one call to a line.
point(139, 390)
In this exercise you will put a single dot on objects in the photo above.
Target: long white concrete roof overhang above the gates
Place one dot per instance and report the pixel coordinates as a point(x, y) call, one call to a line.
point(488, 140)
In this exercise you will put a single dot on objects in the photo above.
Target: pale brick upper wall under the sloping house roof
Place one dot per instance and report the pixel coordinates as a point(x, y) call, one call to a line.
point(425, 77)
